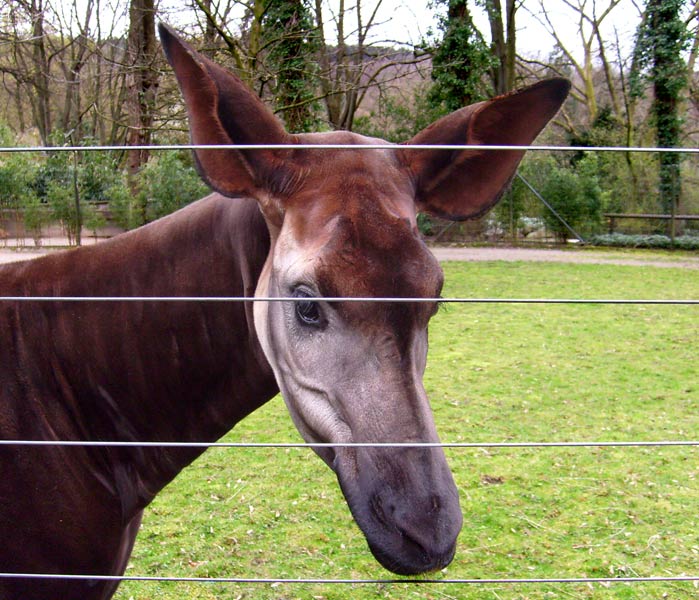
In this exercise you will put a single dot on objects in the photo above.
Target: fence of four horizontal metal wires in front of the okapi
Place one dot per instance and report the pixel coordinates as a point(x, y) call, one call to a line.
point(515, 445)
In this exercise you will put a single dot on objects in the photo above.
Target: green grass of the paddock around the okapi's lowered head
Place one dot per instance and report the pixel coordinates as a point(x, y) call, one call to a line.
point(495, 373)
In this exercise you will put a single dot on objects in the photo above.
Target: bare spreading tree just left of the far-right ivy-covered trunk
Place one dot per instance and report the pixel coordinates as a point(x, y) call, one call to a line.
point(602, 111)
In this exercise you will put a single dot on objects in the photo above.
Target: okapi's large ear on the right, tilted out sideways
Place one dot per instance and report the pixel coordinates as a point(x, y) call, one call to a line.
point(463, 184)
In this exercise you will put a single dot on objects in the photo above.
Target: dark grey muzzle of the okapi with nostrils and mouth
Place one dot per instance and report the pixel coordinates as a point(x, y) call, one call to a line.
point(411, 524)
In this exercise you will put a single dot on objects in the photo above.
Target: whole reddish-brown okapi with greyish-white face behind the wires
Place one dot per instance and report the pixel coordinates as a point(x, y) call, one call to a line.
point(294, 222)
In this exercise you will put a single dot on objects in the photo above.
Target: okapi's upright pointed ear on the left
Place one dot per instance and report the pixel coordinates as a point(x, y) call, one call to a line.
point(222, 110)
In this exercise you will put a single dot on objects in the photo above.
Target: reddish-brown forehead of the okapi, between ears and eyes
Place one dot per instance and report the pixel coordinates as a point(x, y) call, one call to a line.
point(360, 203)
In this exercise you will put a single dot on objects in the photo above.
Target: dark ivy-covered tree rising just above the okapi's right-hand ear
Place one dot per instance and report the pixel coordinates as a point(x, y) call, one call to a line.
point(461, 61)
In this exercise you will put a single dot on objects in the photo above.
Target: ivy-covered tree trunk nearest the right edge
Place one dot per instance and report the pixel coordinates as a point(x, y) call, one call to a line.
point(660, 41)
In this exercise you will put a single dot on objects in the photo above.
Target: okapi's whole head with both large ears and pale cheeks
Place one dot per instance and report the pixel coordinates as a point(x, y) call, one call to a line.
point(343, 223)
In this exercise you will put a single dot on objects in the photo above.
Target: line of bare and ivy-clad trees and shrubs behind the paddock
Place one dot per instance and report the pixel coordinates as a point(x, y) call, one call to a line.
point(91, 72)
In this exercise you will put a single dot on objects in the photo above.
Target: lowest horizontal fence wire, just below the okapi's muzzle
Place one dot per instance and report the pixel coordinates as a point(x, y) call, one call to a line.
point(341, 581)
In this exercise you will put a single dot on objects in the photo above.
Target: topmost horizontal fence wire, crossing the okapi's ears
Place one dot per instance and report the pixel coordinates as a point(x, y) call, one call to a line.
point(447, 147)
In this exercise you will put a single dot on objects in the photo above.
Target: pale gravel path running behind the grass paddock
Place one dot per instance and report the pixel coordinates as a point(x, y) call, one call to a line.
point(485, 254)
